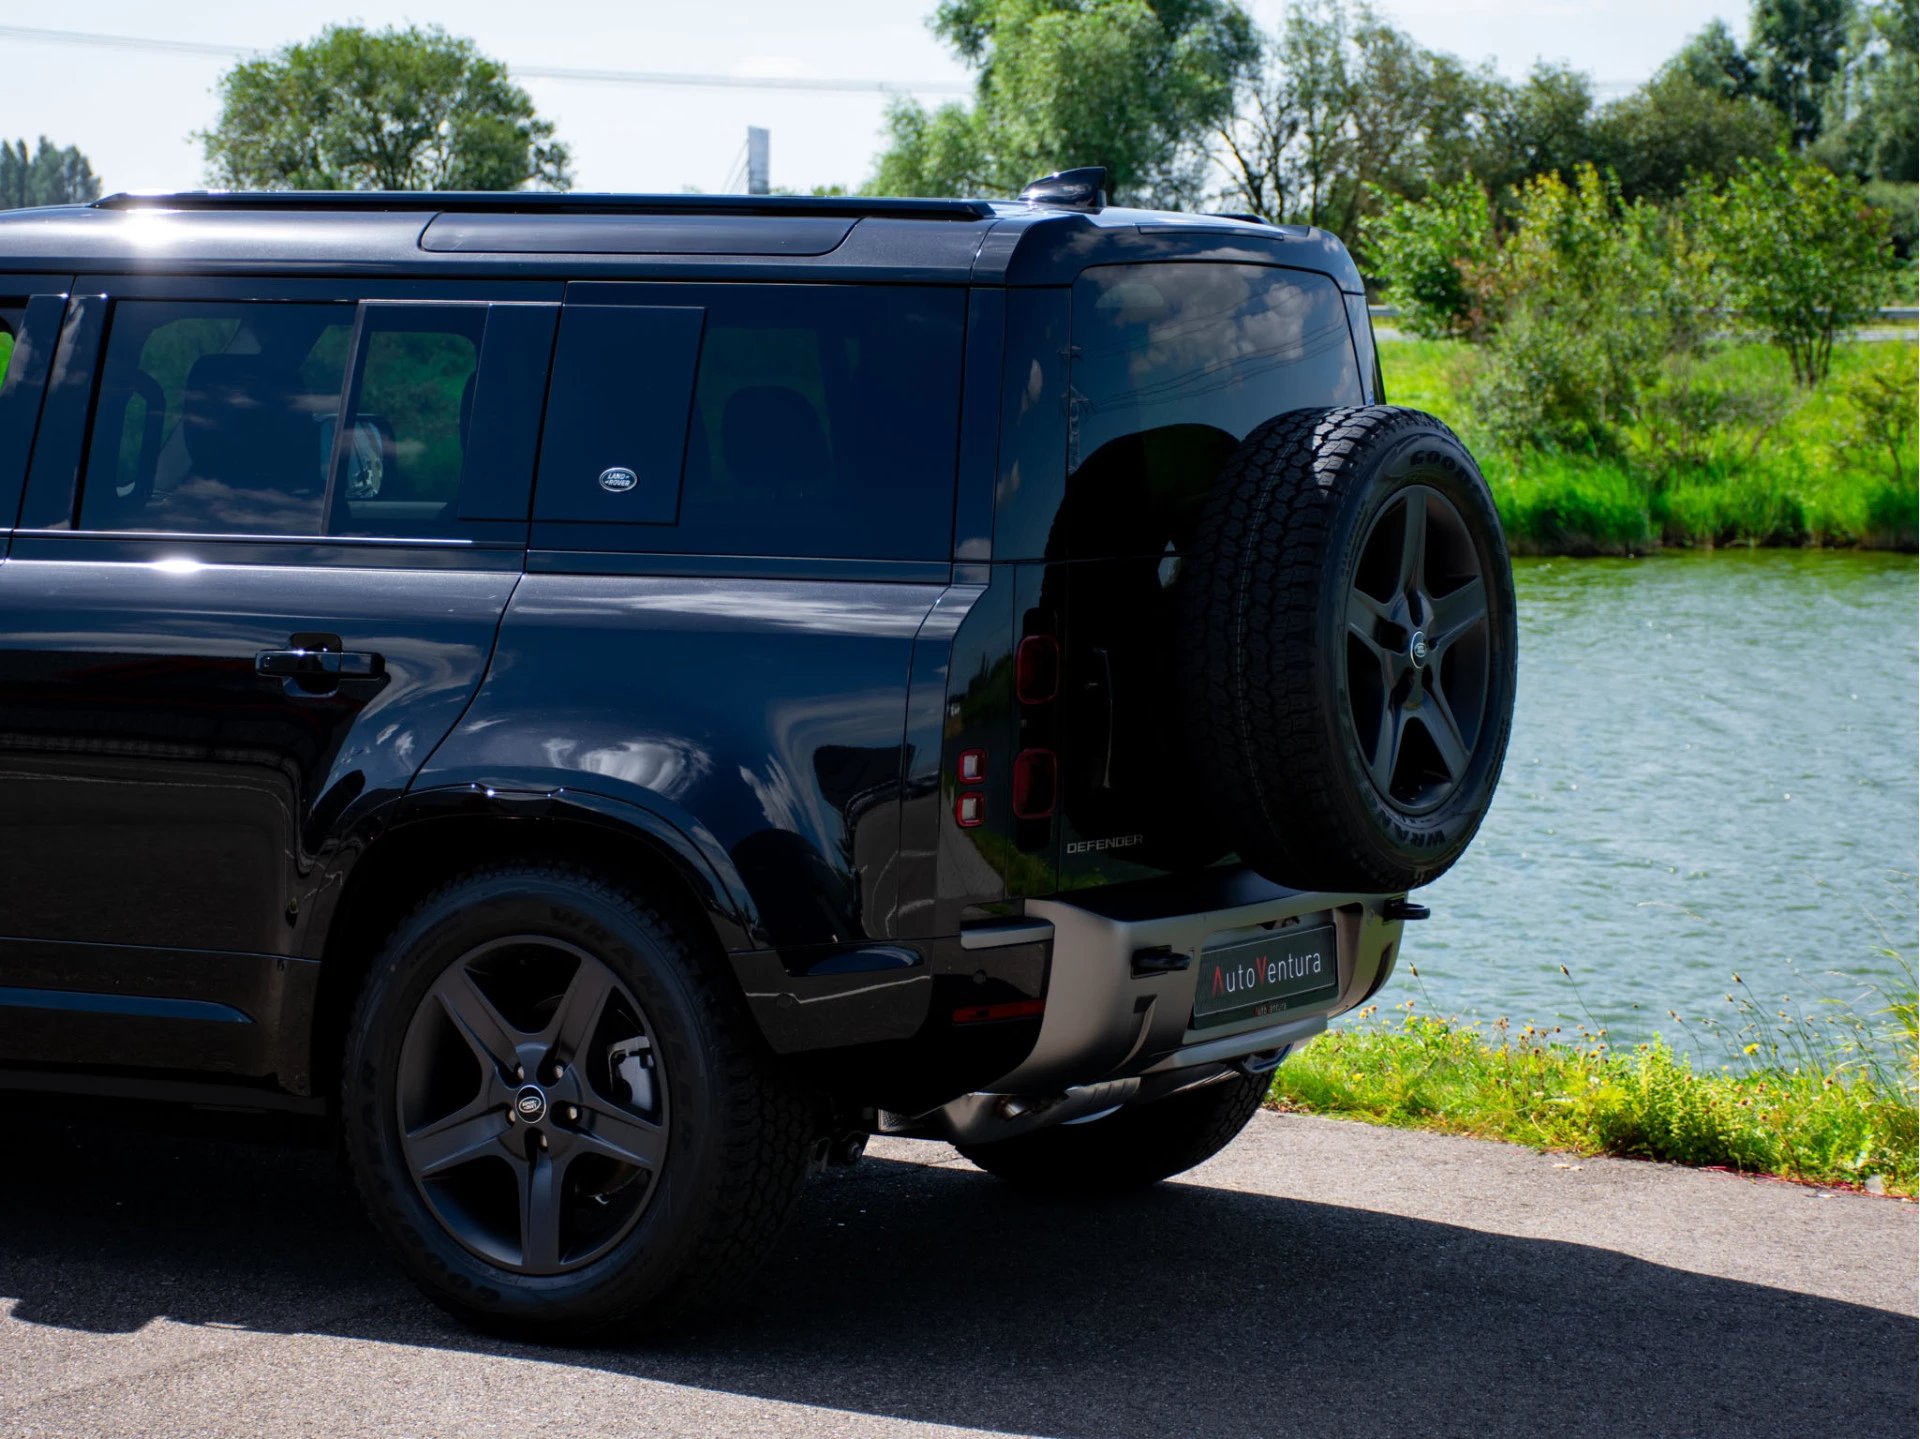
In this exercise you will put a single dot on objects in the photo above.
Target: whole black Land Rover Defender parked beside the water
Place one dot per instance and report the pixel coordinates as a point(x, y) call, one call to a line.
point(617, 700)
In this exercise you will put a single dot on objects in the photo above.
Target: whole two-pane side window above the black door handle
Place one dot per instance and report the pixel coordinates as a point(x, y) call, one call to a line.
point(254, 418)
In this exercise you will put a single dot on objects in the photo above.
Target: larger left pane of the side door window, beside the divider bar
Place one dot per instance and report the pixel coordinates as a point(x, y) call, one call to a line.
point(216, 418)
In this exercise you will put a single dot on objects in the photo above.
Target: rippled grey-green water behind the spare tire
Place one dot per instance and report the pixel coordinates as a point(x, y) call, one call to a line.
point(1714, 769)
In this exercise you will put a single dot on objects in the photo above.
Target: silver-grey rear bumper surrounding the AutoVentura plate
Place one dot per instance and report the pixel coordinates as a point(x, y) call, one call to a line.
point(1116, 1033)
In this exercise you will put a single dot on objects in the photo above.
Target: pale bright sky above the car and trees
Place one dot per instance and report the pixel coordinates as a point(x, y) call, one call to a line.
point(133, 110)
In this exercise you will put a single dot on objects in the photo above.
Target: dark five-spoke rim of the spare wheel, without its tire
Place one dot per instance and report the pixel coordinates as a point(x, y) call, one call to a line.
point(1418, 650)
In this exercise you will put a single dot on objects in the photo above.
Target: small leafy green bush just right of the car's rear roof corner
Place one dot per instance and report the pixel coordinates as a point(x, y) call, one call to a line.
point(1431, 258)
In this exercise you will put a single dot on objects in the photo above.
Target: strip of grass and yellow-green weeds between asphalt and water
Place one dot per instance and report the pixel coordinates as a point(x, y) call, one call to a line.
point(1825, 1100)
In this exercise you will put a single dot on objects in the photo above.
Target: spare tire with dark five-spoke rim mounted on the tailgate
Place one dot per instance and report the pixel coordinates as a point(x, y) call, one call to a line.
point(1349, 648)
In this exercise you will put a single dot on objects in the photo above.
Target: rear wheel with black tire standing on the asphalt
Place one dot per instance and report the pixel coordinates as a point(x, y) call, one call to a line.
point(560, 1113)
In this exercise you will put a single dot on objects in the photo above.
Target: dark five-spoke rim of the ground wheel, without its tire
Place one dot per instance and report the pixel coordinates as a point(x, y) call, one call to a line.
point(533, 1106)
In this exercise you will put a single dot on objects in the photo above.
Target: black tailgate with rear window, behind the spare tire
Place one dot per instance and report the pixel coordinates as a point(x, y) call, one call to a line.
point(1172, 366)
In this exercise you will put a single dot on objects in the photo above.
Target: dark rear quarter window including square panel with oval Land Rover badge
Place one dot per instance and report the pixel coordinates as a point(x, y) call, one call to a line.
point(821, 422)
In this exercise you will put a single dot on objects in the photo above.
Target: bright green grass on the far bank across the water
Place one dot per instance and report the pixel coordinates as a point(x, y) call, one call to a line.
point(1723, 452)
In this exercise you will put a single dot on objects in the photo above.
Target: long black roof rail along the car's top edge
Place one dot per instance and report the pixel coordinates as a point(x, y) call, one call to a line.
point(535, 203)
